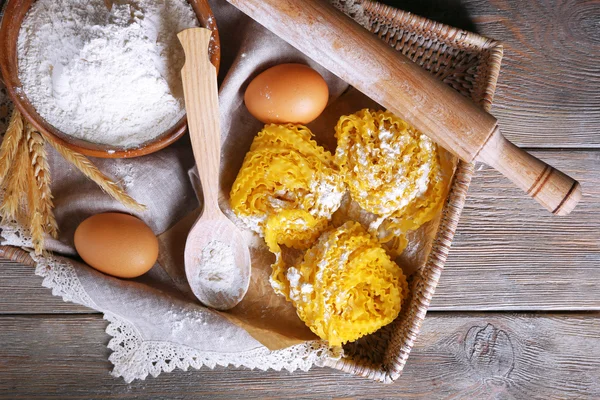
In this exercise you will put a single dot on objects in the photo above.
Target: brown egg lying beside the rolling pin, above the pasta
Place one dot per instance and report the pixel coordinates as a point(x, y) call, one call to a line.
point(287, 93)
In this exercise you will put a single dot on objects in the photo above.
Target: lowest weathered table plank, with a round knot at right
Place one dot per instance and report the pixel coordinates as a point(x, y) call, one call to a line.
point(460, 355)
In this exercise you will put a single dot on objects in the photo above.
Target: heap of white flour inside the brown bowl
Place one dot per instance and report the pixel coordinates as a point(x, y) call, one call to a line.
point(105, 77)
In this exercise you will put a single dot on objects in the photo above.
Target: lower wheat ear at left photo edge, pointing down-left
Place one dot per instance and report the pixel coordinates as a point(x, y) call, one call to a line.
point(16, 183)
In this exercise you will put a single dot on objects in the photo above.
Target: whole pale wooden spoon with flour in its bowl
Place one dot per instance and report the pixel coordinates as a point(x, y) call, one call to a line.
point(214, 238)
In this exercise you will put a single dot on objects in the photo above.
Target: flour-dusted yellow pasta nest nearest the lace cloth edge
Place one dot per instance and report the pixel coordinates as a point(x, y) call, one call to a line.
point(346, 286)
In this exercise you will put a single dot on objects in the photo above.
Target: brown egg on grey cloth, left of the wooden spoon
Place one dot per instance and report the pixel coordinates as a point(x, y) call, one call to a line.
point(117, 244)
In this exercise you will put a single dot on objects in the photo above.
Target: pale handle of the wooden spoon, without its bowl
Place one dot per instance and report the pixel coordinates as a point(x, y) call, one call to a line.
point(202, 106)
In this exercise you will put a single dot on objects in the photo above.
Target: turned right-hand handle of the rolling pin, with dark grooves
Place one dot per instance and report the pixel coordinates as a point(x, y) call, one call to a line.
point(554, 190)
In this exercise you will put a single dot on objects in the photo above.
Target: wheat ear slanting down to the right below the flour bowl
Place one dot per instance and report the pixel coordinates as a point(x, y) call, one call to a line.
point(93, 173)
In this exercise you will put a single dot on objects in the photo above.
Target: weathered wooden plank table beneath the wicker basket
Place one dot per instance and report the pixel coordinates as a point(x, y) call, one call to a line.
point(516, 314)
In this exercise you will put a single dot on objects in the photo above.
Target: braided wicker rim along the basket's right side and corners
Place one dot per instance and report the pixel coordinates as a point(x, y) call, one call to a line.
point(398, 350)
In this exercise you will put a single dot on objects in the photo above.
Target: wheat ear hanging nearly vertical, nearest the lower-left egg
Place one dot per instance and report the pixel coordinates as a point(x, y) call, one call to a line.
point(41, 174)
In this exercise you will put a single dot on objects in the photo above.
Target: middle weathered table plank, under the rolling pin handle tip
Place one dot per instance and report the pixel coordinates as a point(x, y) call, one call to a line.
point(508, 253)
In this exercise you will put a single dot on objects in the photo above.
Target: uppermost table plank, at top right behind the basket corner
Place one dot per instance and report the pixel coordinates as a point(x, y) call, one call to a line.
point(547, 94)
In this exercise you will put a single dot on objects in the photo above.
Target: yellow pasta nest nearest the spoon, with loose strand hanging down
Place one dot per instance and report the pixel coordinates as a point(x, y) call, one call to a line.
point(287, 190)
